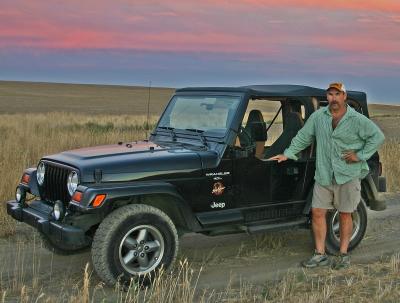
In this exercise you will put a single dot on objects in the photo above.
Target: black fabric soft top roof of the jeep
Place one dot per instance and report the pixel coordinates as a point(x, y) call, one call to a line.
point(280, 90)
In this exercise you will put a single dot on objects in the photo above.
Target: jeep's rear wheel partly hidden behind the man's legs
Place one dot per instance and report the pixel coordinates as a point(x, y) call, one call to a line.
point(359, 216)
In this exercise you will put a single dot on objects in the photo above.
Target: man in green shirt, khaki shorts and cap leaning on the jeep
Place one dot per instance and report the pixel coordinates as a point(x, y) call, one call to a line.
point(345, 139)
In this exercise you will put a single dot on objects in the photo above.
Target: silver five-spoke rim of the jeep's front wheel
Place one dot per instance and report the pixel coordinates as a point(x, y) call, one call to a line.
point(141, 249)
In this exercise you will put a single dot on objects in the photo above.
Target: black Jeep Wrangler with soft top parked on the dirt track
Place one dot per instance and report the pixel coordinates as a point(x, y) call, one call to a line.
point(204, 169)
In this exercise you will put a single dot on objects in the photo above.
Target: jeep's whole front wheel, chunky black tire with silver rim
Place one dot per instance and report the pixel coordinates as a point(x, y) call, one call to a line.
point(134, 241)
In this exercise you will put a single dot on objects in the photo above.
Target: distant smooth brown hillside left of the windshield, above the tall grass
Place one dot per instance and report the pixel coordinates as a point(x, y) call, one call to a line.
point(30, 97)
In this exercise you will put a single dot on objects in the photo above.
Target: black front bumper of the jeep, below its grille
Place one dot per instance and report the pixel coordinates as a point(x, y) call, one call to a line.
point(38, 215)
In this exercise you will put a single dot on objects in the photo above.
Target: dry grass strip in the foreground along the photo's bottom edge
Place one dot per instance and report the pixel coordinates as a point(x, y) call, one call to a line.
point(375, 282)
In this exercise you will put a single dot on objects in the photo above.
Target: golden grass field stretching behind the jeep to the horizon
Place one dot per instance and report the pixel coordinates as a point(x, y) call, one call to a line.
point(48, 118)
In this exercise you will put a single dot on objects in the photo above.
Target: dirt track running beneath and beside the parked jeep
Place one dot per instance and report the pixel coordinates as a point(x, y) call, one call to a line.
point(222, 259)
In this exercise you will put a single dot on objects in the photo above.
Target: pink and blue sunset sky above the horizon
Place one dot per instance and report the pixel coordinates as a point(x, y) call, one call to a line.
point(179, 43)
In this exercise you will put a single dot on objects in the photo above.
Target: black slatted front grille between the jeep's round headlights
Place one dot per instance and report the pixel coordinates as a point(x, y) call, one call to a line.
point(55, 183)
